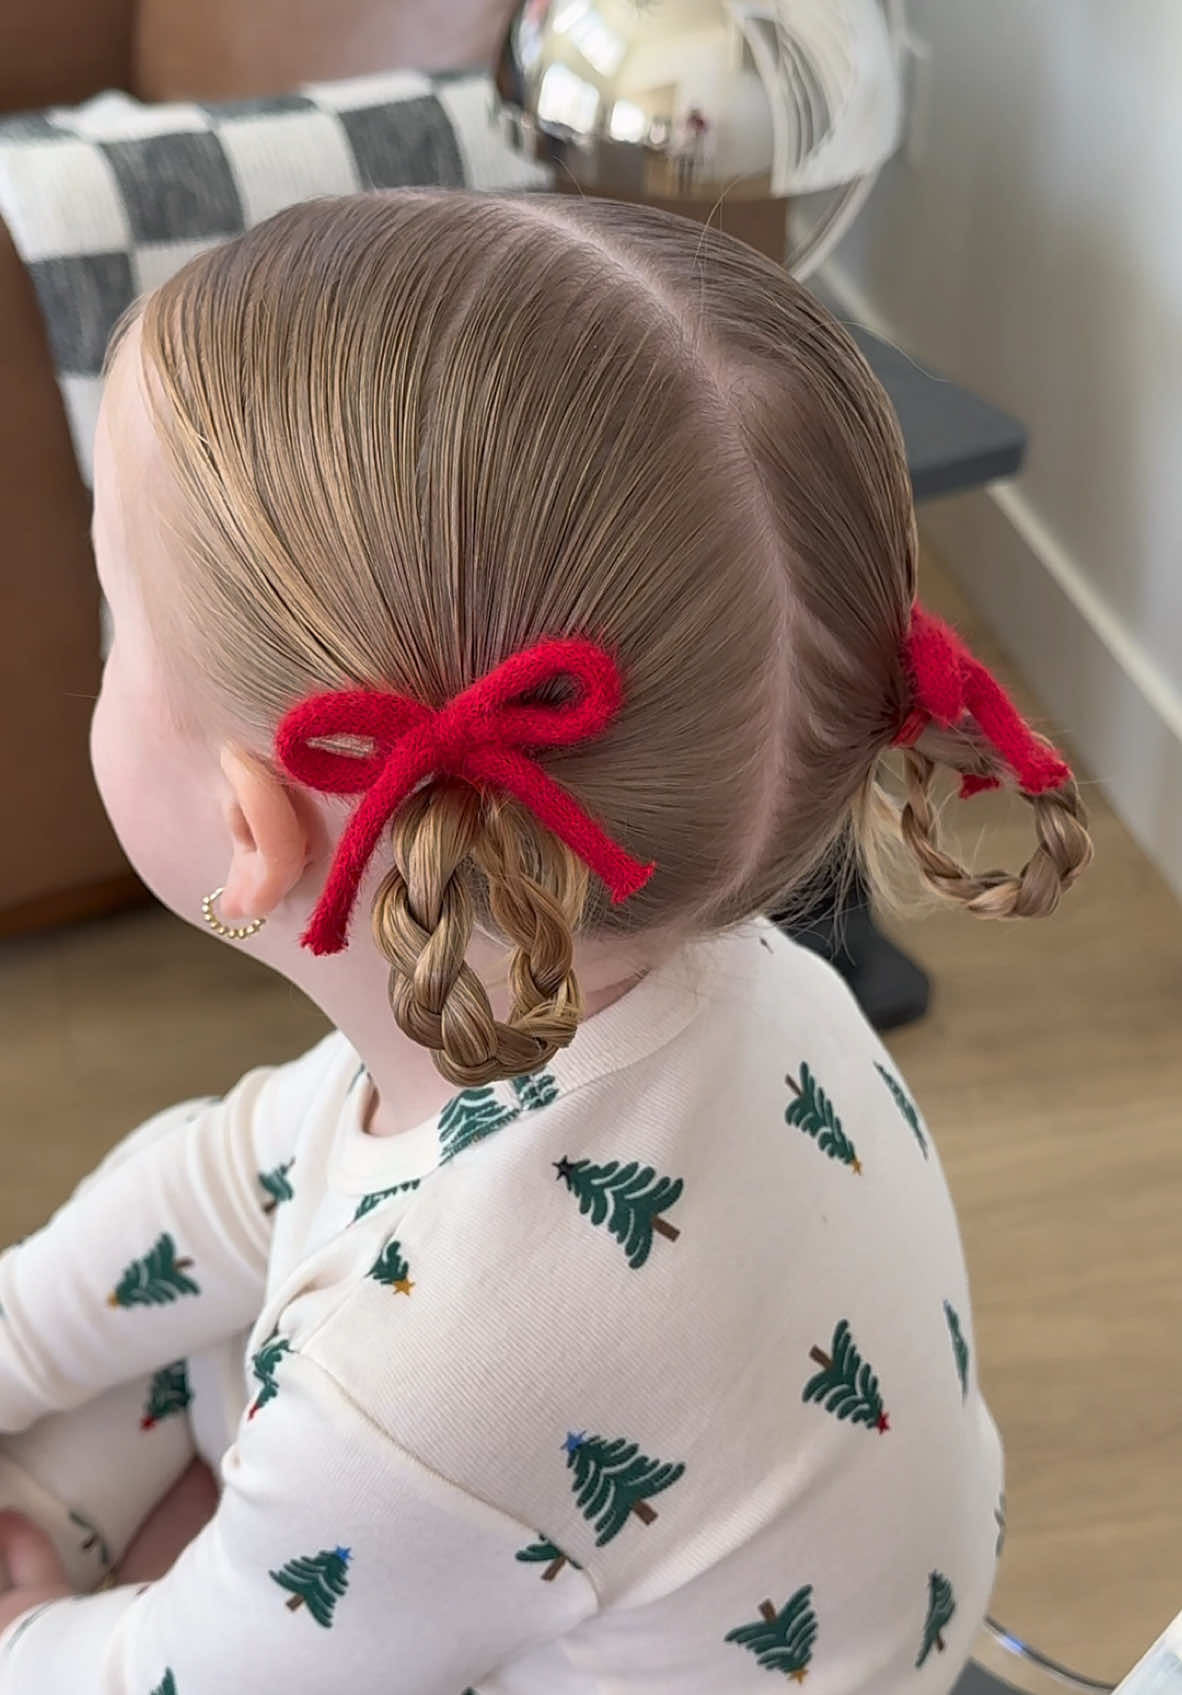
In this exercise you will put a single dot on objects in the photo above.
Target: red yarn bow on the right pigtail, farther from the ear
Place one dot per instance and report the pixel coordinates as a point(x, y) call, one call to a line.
point(951, 684)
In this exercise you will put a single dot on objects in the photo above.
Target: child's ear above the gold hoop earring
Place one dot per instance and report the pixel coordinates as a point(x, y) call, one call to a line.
point(270, 845)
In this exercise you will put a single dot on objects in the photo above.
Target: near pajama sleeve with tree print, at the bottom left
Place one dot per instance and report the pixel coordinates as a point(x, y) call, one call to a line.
point(325, 1567)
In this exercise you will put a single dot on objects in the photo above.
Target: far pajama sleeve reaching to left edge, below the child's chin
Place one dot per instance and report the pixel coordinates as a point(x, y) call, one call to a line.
point(160, 1253)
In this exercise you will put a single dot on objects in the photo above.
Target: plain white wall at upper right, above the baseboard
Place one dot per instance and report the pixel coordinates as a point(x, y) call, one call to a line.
point(1035, 252)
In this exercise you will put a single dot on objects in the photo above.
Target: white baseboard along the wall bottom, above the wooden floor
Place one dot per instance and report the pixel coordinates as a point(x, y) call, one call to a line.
point(1112, 699)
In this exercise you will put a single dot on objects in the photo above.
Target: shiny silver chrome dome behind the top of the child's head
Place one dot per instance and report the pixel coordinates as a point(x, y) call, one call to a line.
point(696, 104)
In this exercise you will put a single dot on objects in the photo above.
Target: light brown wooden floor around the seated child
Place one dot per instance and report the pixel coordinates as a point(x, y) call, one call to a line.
point(1051, 1067)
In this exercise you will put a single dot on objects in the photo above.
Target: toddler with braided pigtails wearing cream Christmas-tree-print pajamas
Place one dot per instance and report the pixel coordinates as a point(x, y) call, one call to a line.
point(513, 601)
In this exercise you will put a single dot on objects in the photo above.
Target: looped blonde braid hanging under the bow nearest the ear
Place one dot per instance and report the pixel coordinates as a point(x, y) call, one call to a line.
point(423, 920)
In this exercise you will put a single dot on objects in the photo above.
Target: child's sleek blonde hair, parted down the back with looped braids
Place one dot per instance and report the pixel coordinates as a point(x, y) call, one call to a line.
point(416, 433)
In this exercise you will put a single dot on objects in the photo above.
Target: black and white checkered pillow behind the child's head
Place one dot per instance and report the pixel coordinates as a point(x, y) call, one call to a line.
point(109, 199)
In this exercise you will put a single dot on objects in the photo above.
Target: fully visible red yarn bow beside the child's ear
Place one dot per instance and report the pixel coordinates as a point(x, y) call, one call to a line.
point(484, 736)
